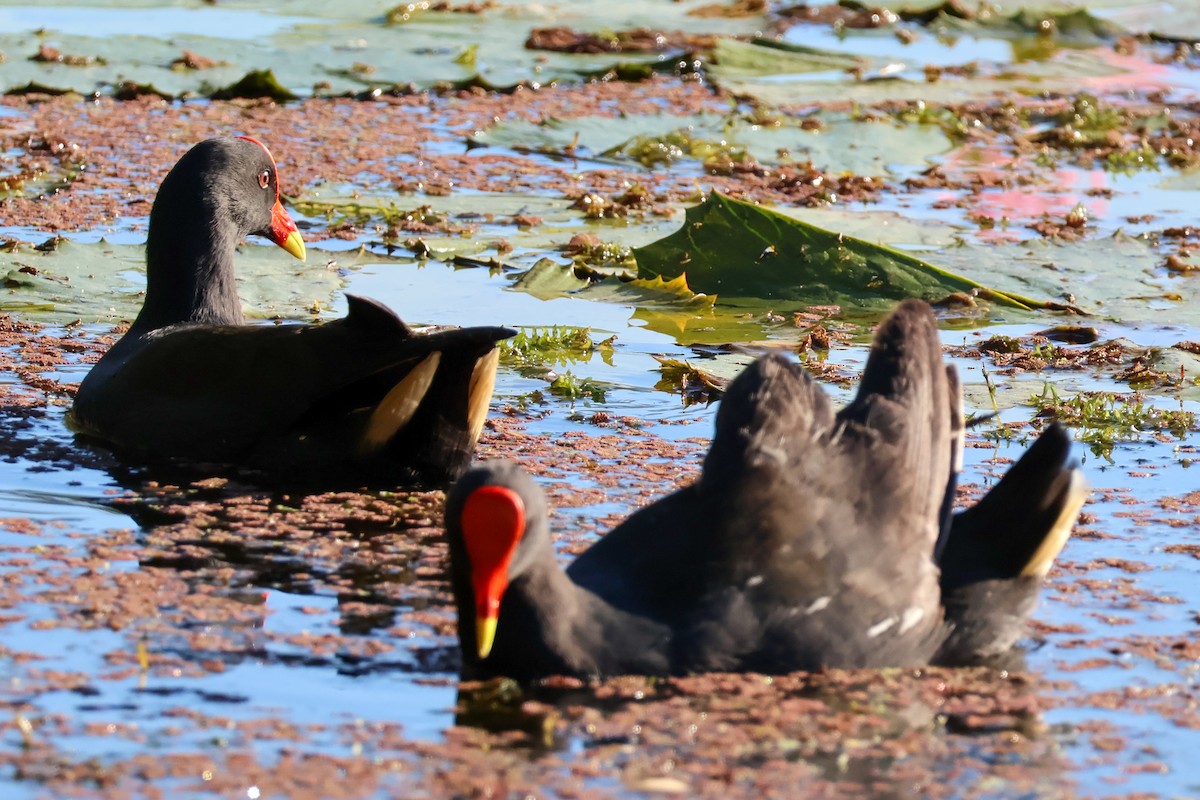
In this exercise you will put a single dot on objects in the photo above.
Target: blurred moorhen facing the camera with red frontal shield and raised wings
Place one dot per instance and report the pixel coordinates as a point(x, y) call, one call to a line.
point(812, 539)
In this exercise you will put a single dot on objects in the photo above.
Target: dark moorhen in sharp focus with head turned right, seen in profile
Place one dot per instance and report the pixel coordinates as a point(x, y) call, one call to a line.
point(361, 399)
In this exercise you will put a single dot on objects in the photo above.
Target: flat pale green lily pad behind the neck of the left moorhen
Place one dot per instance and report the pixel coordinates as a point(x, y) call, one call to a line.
point(105, 284)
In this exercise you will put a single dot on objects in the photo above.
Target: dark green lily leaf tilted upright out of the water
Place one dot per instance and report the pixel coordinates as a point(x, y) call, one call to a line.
point(739, 250)
